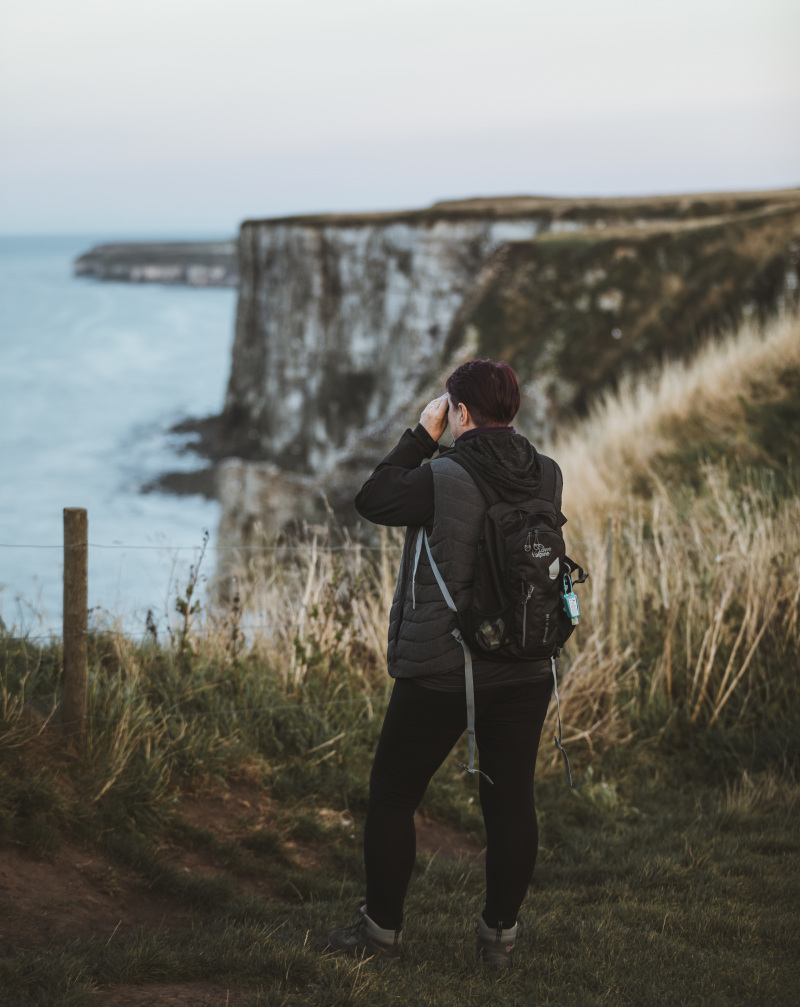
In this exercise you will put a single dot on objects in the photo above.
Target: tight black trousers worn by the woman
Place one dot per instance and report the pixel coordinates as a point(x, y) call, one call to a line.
point(422, 728)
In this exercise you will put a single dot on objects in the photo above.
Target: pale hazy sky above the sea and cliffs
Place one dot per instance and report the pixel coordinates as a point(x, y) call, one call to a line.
point(181, 116)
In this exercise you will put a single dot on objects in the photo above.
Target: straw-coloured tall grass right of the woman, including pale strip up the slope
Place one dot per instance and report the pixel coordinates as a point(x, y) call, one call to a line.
point(705, 596)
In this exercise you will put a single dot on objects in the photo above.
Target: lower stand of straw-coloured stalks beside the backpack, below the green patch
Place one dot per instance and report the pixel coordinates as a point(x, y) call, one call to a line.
point(705, 613)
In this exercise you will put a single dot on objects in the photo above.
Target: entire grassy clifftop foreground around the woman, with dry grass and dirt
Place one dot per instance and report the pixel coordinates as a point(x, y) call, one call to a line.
point(200, 842)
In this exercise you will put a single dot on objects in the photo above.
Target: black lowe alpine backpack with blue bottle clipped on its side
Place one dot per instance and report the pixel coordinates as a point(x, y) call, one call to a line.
point(522, 576)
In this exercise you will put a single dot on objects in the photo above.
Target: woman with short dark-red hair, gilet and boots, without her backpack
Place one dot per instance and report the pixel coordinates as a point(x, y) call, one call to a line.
point(428, 713)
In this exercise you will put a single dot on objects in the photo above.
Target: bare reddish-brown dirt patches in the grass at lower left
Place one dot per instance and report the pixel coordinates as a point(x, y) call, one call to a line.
point(77, 894)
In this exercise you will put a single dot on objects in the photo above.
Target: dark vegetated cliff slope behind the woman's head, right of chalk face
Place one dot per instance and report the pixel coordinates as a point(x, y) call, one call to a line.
point(575, 314)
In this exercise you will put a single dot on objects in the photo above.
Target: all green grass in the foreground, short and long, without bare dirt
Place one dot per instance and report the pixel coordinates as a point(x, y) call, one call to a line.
point(668, 877)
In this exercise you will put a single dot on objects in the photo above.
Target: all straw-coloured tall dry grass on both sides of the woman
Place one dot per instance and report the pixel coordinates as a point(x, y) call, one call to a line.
point(706, 593)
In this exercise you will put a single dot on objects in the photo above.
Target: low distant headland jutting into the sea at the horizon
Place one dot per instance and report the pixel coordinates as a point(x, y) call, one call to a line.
point(197, 264)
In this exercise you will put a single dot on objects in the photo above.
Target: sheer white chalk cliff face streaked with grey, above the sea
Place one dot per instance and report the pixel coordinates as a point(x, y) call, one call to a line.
point(341, 321)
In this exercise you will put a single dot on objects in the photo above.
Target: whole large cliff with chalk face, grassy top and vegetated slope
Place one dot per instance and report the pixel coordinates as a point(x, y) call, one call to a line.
point(346, 324)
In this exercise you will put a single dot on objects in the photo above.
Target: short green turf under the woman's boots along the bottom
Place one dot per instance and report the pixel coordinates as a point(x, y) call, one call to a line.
point(642, 896)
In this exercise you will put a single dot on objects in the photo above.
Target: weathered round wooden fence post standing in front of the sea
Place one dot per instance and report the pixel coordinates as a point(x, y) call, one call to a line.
point(76, 620)
